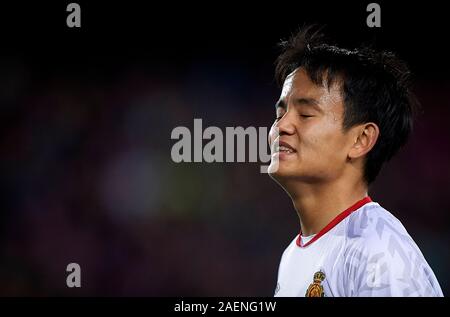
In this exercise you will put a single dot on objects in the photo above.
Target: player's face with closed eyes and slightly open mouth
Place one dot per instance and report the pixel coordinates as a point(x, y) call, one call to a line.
point(309, 124)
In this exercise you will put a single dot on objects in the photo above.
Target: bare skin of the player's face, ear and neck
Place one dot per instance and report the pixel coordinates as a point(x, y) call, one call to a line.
point(324, 174)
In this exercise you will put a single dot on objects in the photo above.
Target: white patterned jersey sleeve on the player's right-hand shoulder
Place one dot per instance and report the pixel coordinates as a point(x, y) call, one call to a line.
point(389, 265)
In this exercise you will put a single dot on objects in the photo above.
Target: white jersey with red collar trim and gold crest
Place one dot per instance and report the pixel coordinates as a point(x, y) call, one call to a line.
point(364, 251)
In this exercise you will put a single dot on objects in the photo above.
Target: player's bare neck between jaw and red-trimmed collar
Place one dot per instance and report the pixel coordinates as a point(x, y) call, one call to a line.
point(318, 204)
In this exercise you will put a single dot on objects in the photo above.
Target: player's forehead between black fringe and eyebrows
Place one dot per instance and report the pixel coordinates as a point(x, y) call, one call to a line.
point(299, 85)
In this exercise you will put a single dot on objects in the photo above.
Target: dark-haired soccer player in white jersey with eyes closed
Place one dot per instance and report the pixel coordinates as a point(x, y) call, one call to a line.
point(341, 114)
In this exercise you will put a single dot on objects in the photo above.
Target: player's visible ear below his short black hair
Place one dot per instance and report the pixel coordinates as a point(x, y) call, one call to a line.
point(366, 136)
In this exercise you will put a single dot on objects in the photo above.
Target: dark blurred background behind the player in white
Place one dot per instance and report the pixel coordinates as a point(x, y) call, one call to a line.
point(86, 117)
